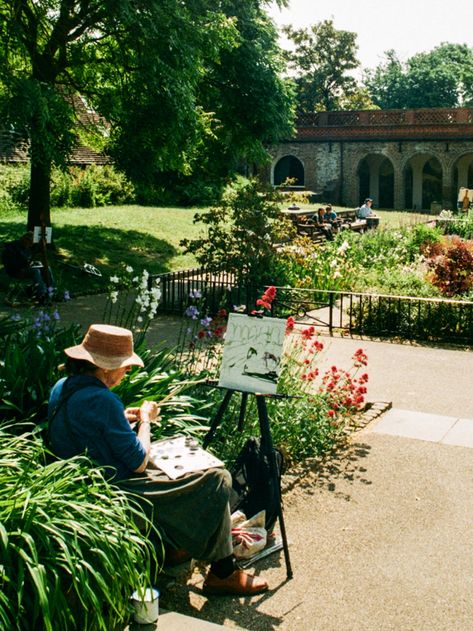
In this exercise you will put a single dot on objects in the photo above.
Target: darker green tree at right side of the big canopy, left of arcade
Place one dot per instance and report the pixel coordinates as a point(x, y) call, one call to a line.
point(251, 104)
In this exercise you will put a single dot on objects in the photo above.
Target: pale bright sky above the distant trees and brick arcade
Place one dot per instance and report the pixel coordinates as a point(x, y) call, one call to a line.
point(407, 26)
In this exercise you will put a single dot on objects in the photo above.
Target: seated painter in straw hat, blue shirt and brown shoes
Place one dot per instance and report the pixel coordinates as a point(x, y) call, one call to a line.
point(85, 416)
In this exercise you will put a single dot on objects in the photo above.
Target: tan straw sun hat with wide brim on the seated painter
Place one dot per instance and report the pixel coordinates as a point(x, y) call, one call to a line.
point(107, 347)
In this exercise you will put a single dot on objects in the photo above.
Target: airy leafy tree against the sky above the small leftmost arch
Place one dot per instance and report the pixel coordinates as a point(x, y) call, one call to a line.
point(321, 60)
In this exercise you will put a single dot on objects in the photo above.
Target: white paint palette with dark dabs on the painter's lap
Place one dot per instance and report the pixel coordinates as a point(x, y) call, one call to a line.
point(179, 455)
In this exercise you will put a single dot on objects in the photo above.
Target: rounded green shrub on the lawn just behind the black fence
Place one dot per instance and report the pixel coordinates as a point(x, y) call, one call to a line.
point(241, 235)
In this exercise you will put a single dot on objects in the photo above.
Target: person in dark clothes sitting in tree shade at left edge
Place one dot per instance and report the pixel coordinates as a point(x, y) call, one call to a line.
point(17, 258)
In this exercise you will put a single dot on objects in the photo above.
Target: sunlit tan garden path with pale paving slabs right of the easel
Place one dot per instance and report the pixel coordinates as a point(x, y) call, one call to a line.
point(380, 535)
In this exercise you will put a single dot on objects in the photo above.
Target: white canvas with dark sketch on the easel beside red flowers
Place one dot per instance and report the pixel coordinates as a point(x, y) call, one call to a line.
point(252, 353)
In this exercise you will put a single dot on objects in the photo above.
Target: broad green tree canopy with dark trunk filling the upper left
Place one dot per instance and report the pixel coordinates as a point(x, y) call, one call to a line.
point(161, 73)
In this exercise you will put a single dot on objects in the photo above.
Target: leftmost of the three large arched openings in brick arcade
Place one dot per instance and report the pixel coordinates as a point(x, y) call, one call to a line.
point(375, 178)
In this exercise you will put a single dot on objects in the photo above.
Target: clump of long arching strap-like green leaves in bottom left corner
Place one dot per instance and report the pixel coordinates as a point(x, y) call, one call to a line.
point(71, 554)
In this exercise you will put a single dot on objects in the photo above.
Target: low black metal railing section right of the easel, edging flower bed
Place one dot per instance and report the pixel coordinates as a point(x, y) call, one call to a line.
point(379, 315)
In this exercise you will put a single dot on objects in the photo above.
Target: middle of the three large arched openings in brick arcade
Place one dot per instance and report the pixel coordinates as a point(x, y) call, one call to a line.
point(423, 181)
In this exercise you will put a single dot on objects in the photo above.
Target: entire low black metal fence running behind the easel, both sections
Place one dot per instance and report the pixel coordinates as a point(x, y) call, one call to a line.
point(369, 315)
